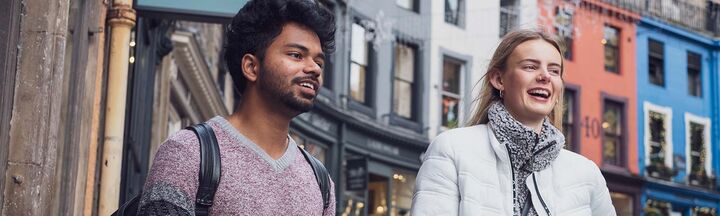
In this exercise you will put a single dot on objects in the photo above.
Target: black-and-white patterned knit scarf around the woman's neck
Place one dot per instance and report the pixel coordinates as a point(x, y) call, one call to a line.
point(529, 151)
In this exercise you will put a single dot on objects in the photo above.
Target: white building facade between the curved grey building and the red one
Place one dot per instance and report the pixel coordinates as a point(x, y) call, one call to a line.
point(461, 48)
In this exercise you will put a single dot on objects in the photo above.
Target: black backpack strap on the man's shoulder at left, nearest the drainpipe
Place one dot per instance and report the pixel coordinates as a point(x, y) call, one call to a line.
point(209, 168)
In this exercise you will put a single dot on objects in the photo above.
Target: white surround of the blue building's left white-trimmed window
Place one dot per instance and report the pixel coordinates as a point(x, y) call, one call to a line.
point(667, 111)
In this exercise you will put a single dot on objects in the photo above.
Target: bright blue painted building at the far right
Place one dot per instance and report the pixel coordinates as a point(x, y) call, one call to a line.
point(678, 119)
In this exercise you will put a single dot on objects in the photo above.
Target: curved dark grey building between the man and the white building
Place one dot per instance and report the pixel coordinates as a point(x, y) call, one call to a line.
point(370, 122)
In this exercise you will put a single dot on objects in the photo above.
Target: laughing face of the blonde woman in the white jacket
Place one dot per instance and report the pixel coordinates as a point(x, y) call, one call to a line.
point(531, 82)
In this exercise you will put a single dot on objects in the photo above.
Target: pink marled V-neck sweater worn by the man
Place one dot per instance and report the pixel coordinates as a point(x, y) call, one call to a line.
point(252, 183)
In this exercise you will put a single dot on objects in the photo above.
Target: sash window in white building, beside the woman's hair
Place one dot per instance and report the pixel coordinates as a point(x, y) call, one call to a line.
point(451, 92)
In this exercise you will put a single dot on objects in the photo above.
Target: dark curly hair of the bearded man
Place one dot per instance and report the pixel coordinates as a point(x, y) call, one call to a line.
point(259, 22)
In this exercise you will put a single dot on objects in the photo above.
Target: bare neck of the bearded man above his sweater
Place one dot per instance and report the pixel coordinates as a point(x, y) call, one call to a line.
point(263, 124)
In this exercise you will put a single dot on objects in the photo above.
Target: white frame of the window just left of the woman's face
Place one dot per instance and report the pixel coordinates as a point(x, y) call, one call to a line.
point(460, 95)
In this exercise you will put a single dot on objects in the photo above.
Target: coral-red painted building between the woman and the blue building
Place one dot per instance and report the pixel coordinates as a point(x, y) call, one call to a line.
point(600, 96)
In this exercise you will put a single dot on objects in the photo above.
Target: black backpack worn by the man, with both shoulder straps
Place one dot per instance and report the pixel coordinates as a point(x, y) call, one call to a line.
point(210, 174)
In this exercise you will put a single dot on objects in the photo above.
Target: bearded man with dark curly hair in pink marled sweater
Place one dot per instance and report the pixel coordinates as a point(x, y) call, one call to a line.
point(275, 51)
